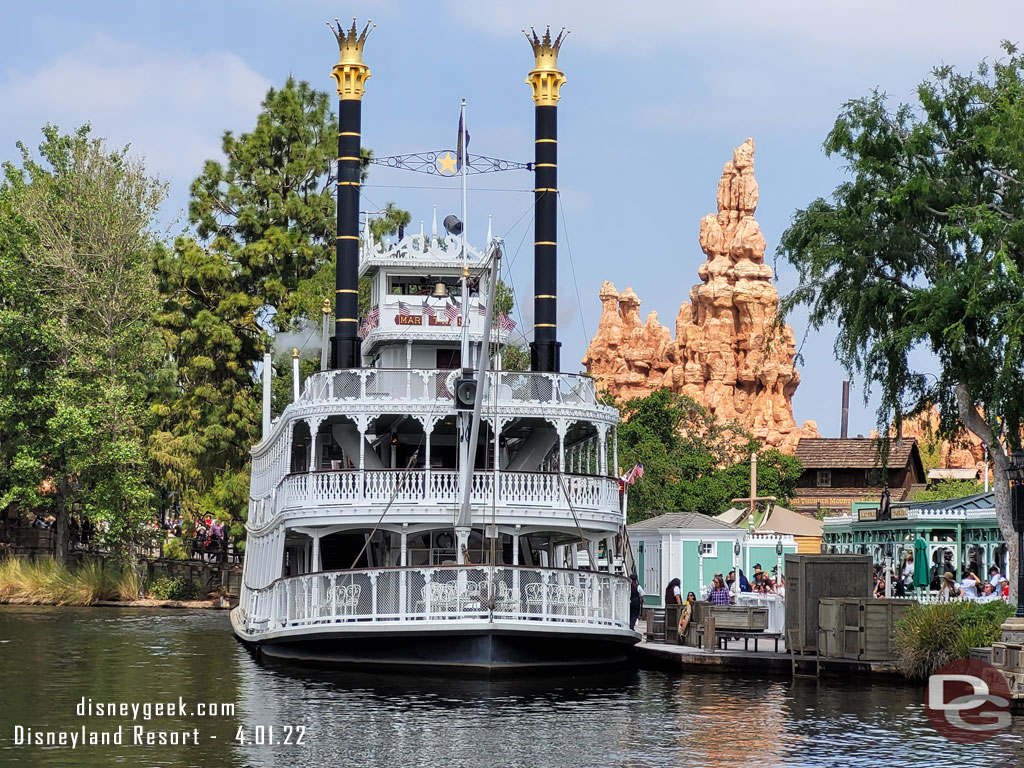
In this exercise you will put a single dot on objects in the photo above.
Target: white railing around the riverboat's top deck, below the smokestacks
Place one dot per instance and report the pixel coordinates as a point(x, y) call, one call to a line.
point(430, 387)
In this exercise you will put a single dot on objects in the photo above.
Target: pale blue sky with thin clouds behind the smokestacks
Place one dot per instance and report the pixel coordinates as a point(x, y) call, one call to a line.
point(658, 96)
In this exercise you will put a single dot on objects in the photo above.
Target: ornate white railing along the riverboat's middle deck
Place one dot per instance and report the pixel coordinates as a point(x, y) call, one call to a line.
point(440, 487)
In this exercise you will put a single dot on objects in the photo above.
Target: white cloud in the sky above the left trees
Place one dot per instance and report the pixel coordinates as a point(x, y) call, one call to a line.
point(170, 106)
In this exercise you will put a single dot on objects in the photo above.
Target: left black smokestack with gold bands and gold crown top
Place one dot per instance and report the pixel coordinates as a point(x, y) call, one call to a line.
point(351, 75)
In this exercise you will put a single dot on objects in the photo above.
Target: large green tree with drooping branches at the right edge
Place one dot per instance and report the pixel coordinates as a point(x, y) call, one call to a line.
point(924, 248)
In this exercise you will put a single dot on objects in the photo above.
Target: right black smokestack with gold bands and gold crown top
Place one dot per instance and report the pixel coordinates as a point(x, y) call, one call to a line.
point(546, 80)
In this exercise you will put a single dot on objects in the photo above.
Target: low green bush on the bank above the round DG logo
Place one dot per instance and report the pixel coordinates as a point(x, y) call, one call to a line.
point(930, 636)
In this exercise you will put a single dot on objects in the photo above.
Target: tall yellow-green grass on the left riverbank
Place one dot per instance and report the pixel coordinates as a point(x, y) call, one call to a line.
point(47, 583)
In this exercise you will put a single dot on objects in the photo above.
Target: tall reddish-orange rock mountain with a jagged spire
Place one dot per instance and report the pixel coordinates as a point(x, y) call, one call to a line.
point(719, 356)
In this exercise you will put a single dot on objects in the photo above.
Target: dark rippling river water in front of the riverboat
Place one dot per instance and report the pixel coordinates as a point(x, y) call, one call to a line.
point(55, 661)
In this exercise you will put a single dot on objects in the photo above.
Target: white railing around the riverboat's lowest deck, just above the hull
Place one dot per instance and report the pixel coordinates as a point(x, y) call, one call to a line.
point(452, 593)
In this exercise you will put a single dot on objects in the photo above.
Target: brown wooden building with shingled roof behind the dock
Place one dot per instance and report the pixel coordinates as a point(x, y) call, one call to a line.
point(840, 471)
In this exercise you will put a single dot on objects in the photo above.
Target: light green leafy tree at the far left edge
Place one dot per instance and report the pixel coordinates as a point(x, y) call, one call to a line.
point(78, 349)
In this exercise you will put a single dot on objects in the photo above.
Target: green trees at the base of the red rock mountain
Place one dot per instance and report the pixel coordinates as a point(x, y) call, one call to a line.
point(692, 460)
